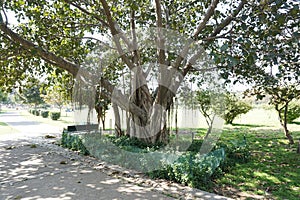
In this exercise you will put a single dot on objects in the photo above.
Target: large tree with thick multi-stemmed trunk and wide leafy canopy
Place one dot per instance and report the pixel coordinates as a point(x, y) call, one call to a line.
point(244, 39)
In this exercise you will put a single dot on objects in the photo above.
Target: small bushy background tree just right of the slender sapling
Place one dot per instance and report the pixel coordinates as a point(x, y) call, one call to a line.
point(234, 108)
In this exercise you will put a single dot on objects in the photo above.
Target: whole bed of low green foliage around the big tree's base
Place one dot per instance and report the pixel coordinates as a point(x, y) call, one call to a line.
point(190, 168)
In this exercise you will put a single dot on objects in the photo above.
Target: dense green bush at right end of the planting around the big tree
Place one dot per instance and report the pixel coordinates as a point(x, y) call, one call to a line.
point(196, 171)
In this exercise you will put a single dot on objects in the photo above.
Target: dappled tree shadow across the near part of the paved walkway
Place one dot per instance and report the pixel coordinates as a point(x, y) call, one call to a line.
point(39, 174)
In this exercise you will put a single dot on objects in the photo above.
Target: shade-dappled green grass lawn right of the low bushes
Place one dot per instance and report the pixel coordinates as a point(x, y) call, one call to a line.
point(273, 171)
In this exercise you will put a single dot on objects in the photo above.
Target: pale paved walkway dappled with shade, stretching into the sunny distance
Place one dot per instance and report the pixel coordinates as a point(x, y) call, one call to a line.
point(33, 167)
